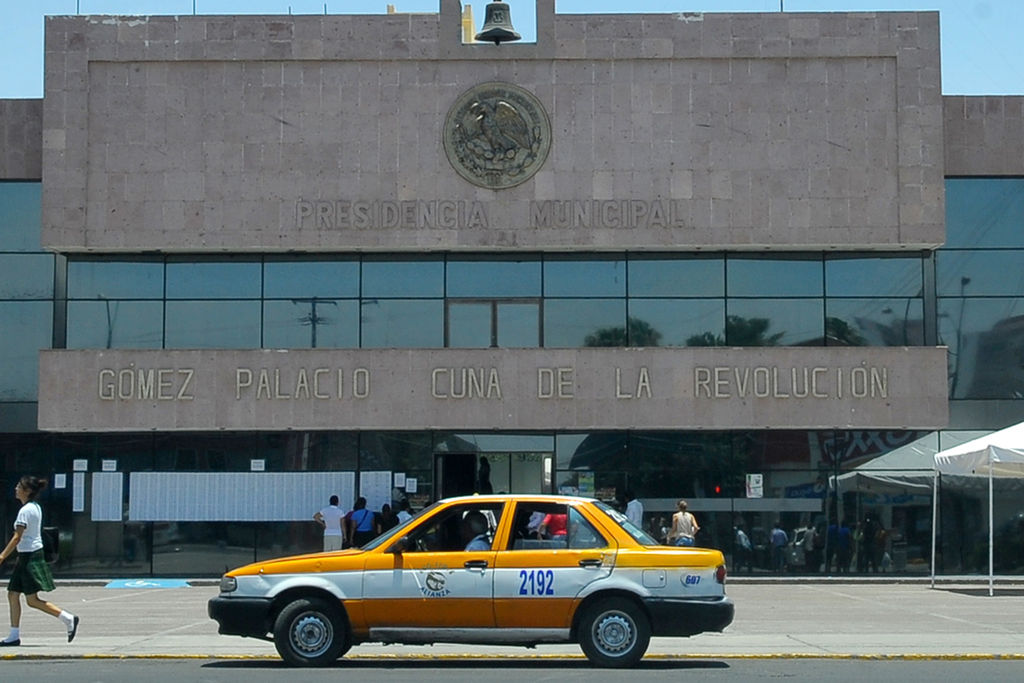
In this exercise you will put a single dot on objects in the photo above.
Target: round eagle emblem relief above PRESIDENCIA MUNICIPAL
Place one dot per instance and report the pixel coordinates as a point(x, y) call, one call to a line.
point(497, 136)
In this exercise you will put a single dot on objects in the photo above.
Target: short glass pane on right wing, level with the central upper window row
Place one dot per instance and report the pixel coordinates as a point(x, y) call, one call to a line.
point(978, 273)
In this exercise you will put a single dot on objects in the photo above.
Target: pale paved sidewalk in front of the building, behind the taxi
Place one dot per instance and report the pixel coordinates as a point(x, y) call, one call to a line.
point(788, 618)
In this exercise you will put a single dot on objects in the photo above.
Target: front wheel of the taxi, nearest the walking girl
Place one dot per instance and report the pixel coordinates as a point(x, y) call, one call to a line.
point(311, 632)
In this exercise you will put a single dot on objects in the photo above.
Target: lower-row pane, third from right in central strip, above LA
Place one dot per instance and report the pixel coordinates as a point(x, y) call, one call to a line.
point(681, 322)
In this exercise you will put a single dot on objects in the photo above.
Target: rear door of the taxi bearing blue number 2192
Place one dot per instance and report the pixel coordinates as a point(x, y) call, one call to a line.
point(538, 581)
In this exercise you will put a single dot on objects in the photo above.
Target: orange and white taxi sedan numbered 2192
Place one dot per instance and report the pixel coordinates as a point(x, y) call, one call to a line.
point(499, 570)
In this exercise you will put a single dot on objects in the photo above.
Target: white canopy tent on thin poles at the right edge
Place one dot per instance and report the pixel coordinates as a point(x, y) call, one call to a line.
point(998, 455)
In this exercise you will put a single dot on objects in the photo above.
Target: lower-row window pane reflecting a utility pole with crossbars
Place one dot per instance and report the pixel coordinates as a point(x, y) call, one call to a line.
point(312, 324)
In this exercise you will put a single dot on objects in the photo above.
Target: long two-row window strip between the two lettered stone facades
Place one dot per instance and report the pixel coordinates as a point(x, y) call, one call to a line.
point(477, 303)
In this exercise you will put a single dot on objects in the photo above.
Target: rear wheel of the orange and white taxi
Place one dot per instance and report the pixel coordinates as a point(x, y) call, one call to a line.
point(615, 633)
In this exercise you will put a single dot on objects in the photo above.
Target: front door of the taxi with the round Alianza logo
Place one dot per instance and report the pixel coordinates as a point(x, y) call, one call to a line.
point(429, 586)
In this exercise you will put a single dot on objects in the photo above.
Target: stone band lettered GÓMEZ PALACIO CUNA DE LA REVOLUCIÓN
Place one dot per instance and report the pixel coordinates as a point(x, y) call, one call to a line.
point(583, 389)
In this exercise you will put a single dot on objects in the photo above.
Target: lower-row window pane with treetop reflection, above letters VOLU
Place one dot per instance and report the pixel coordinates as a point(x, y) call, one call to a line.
point(776, 323)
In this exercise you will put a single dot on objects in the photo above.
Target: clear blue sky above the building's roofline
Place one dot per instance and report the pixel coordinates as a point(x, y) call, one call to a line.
point(978, 36)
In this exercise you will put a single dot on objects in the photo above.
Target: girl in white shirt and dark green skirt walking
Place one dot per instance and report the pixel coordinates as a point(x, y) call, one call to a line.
point(31, 575)
